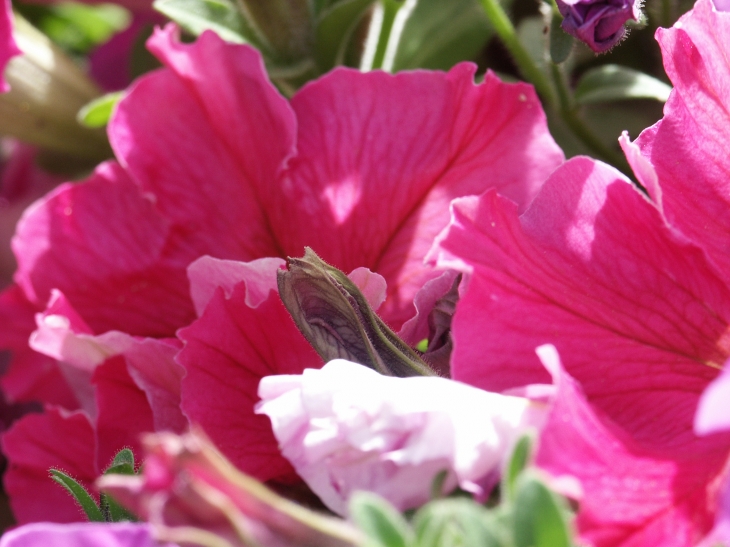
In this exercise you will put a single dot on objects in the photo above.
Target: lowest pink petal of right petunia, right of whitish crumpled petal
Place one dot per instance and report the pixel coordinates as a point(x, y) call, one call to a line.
point(631, 496)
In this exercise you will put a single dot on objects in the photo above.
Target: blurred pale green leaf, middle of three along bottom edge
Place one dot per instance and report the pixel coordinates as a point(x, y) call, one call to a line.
point(457, 522)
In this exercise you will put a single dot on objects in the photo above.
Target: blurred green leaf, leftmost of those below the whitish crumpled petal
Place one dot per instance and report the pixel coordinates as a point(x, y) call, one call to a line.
point(379, 520)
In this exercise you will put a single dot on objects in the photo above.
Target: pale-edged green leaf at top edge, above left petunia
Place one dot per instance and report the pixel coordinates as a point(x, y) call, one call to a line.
point(196, 16)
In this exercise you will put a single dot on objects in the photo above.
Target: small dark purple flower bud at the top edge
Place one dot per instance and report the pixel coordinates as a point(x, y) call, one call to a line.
point(598, 23)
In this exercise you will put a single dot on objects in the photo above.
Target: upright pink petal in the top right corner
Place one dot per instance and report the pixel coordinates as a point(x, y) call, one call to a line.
point(688, 147)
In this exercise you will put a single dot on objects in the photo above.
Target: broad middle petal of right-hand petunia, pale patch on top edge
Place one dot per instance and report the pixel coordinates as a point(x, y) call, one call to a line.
point(638, 315)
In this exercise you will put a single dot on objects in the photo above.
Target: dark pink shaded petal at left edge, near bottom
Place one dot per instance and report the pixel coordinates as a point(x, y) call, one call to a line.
point(36, 443)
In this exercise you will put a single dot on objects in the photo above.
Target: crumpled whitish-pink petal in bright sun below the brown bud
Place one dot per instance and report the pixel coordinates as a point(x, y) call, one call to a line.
point(347, 428)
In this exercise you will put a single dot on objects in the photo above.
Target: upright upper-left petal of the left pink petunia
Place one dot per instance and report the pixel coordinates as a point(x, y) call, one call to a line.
point(212, 150)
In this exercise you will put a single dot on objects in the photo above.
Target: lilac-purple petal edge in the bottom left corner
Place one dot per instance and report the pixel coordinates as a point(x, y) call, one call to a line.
point(43, 534)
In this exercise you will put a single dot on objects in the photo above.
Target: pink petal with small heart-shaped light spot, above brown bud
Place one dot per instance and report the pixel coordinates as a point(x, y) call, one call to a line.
point(381, 156)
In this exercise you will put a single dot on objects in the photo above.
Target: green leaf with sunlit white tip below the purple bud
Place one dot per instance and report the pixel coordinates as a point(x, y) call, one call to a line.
point(615, 83)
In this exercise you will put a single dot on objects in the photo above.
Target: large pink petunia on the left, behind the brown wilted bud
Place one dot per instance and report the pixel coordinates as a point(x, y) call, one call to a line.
point(211, 160)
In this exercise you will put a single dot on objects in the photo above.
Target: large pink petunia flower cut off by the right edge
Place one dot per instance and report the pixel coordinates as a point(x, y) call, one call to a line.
point(635, 295)
